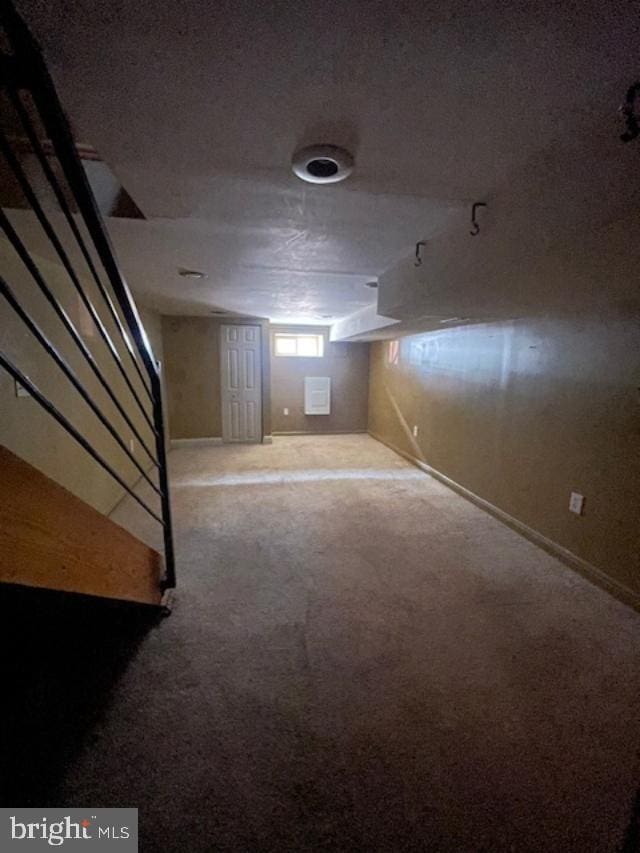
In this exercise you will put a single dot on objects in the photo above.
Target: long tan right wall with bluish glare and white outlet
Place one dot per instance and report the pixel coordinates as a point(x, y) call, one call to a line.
point(521, 414)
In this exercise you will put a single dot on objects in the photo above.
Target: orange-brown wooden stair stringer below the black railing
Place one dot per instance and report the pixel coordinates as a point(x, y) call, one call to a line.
point(50, 538)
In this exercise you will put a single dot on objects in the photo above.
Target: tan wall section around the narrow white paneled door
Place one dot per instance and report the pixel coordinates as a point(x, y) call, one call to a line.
point(192, 374)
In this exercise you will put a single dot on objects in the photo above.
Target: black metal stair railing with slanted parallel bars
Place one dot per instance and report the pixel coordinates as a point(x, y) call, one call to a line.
point(38, 124)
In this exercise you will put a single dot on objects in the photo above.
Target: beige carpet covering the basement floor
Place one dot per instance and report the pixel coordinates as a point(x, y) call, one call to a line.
point(360, 659)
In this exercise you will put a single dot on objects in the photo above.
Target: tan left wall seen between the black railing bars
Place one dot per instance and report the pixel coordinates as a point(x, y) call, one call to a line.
point(31, 433)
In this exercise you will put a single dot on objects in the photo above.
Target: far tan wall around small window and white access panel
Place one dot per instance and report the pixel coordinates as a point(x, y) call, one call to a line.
point(348, 366)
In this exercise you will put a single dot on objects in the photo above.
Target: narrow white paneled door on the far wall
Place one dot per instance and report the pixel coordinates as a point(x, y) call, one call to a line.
point(241, 383)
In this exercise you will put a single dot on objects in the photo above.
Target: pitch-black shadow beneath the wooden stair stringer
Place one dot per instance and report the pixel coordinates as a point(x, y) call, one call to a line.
point(63, 655)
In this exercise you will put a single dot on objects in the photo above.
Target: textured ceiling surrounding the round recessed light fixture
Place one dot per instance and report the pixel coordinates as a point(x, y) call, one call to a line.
point(198, 107)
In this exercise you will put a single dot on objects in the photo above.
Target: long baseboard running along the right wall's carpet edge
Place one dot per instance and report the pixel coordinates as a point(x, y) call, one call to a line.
point(588, 570)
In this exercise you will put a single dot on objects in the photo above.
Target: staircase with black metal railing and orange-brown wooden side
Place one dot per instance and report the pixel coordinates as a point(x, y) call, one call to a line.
point(73, 341)
